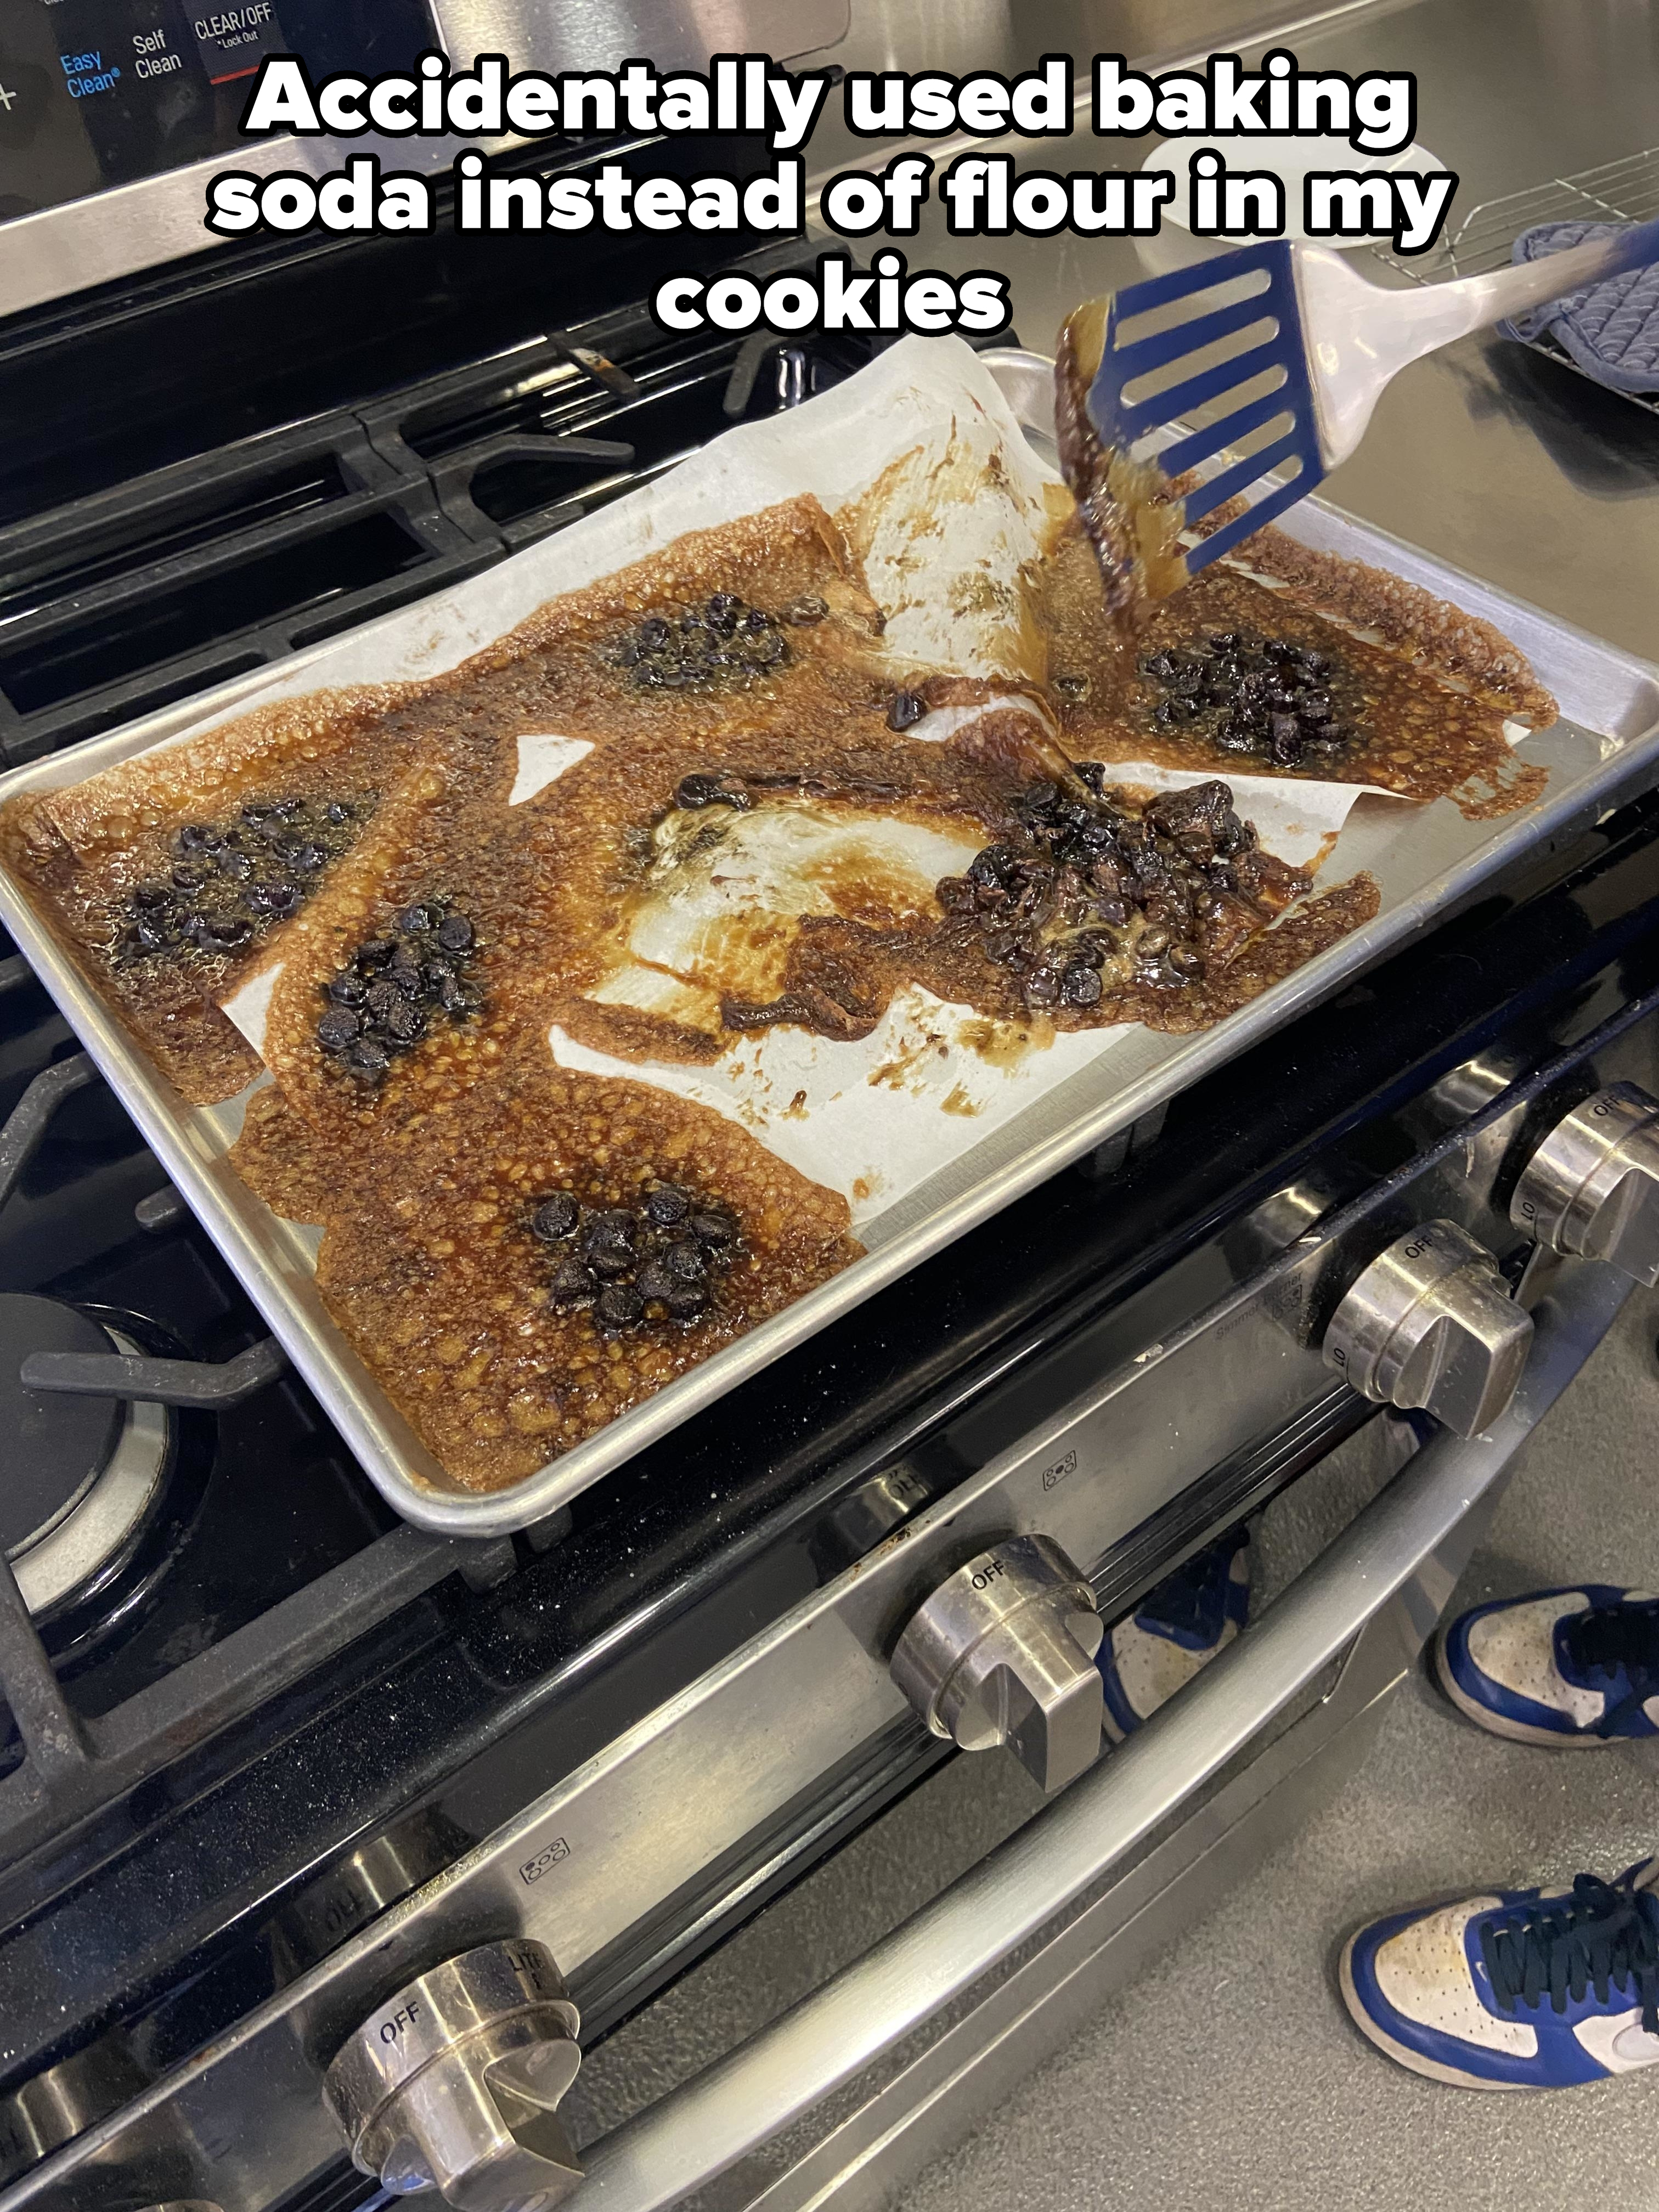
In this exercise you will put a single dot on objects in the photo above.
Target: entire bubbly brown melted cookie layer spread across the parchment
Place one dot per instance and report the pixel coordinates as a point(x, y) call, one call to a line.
point(758, 833)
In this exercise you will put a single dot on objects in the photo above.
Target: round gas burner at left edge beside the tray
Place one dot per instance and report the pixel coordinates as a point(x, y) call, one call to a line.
point(94, 1483)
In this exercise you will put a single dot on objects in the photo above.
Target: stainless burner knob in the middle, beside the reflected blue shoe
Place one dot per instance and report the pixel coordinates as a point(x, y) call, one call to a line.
point(1005, 1653)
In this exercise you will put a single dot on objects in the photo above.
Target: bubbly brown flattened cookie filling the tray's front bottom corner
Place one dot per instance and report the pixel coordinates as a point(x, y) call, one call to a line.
point(435, 1269)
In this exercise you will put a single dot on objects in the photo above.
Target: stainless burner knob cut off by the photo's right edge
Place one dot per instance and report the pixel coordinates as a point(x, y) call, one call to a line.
point(1594, 1185)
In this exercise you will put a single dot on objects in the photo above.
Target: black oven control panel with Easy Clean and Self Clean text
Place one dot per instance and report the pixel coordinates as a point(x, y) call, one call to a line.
point(103, 92)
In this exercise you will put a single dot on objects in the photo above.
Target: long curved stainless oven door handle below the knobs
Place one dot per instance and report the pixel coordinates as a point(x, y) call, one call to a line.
point(782, 2074)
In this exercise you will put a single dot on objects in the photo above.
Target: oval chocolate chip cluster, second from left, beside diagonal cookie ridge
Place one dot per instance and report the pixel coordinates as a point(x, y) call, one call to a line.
point(393, 988)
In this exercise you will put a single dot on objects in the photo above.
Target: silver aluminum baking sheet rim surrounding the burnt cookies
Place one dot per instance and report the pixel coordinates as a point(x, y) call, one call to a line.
point(1426, 862)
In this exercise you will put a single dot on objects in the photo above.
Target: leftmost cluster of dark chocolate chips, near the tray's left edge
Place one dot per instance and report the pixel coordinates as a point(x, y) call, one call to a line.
point(231, 881)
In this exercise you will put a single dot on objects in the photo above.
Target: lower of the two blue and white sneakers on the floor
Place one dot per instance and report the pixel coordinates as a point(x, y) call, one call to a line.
point(1519, 1990)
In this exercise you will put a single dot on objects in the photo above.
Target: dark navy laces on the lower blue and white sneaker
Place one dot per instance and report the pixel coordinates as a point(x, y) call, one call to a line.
point(1603, 1937)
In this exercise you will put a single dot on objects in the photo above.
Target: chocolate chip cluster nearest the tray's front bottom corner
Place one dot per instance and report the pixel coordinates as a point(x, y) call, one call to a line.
point(660, 1260)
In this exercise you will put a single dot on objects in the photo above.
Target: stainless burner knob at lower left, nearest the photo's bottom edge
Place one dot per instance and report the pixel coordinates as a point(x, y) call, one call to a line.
point(455, 2083)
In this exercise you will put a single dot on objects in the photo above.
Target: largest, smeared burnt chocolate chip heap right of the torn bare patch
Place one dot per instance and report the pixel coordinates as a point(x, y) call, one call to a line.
point(1085, 895)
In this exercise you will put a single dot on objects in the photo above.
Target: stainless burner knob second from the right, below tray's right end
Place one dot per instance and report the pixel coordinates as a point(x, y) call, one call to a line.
point(1432, 1326)
